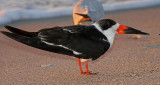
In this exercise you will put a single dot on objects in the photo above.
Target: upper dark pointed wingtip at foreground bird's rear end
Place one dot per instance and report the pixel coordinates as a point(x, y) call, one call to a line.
point(21, 32)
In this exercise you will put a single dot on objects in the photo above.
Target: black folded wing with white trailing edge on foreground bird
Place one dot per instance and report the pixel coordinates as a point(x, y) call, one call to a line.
point(80, 39)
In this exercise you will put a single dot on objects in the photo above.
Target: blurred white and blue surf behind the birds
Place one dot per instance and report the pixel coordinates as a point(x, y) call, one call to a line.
point(11, 10)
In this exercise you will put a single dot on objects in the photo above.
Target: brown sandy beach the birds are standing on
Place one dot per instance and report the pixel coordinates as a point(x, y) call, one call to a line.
point(128, 62)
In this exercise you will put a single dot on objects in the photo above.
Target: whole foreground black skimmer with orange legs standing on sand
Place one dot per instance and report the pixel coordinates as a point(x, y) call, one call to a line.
point(82, 41)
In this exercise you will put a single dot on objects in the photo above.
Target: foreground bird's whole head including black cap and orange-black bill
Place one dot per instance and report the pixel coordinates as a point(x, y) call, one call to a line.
point(109, 24)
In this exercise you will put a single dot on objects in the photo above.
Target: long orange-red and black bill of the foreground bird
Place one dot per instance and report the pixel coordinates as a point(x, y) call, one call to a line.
point(129, 30)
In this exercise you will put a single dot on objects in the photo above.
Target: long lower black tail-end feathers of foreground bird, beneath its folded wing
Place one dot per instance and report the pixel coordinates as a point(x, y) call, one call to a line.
point(37, 43)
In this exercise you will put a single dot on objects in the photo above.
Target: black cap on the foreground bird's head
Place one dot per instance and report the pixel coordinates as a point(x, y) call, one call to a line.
point(106, 23)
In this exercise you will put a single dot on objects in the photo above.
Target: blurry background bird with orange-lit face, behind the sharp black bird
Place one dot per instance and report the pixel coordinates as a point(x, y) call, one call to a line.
point(87, 10)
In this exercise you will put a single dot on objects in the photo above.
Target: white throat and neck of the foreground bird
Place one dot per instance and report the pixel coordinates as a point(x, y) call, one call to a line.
point(109, 33)
